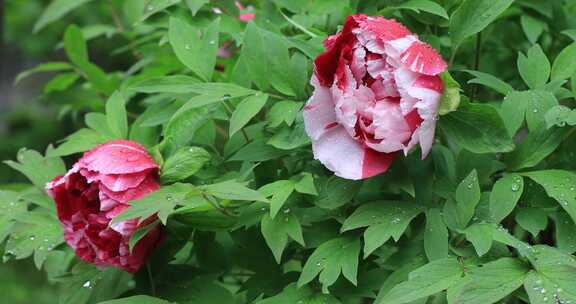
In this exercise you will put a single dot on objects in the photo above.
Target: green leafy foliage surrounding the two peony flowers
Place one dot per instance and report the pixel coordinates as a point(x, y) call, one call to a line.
point(474, 198)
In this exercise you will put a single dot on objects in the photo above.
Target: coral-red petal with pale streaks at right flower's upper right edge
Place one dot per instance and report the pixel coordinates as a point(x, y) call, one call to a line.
point(422, 58)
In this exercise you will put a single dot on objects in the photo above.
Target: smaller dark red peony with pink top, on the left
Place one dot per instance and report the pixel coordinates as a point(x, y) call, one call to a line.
point(96, 189)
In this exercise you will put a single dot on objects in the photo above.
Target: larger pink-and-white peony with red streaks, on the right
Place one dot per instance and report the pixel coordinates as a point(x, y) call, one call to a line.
point(377, 92)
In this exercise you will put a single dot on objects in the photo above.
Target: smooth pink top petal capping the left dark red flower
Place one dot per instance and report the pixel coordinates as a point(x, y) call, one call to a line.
point(118, 157)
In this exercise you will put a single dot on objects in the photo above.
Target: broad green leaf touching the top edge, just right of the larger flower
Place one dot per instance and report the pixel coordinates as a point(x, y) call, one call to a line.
point(473, 16)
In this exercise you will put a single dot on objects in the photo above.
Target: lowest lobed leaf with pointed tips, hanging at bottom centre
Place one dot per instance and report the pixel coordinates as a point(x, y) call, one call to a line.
point(339, 255)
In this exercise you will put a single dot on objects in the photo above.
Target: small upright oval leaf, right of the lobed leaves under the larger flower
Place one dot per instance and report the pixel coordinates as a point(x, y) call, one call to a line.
point(435, 236)
